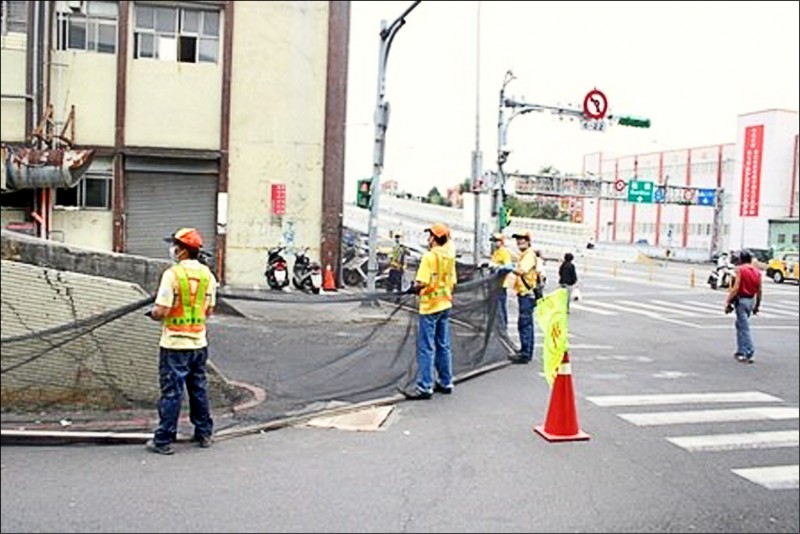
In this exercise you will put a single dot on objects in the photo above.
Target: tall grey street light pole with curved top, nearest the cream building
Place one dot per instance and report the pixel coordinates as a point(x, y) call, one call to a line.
point(381, 122)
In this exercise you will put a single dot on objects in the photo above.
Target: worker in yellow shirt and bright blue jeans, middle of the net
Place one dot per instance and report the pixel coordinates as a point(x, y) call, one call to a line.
point(434, 283)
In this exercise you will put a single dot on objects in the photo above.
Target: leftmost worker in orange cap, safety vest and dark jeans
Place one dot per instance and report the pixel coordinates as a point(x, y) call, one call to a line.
point(185, 298)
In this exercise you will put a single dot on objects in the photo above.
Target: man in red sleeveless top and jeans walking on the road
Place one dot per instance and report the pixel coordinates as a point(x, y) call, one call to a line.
point(744, 297)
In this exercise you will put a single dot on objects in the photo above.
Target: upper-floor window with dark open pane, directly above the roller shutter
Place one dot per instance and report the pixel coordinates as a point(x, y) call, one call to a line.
point(176, 34)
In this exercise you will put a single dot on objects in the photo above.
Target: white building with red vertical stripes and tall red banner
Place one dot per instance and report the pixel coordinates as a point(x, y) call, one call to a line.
point(755, 178)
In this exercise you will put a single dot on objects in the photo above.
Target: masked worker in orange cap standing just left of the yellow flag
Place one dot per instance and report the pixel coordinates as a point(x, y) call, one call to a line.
point(524, 286)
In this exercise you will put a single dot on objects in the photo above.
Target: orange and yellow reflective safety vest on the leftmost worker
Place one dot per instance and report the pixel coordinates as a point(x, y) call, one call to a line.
point(188, 312)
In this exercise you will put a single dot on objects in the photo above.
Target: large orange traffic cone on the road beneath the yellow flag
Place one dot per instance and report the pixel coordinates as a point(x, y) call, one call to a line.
point(561, 423)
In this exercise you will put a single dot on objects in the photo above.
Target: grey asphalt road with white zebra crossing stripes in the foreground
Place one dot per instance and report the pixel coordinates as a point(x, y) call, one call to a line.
point(646, 348)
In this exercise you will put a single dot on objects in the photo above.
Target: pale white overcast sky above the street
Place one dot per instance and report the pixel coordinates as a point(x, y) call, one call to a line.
point(690, 67)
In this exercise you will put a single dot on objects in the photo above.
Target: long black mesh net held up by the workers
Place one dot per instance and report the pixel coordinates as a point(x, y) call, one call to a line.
point(283, 354)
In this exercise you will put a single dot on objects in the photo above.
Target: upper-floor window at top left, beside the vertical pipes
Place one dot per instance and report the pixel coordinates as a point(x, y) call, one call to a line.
point(89, 25)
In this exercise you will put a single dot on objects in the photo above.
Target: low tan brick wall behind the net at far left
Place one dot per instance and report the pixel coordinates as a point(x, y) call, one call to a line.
point(90, 363)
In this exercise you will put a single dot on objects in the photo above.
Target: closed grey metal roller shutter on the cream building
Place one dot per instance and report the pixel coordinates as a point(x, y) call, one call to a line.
point(158, 204)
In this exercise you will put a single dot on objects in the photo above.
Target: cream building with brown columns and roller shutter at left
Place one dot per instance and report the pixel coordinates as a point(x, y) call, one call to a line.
point(221, 115)
